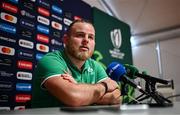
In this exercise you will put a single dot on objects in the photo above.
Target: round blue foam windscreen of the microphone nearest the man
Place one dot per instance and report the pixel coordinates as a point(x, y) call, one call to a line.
point(115, 71)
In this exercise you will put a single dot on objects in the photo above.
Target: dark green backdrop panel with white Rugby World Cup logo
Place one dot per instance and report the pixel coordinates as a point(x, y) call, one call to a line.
point(113, 44)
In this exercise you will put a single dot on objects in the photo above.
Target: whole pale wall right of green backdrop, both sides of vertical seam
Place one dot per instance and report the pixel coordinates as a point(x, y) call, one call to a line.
point(145, 58)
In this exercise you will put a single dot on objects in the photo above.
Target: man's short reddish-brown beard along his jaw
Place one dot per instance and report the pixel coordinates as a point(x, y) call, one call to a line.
point(74, 52)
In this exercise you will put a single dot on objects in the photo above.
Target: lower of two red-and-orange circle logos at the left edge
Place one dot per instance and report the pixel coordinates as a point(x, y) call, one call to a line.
point(7, 50)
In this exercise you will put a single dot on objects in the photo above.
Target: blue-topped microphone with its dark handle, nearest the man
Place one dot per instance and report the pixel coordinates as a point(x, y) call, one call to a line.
point(117, 72)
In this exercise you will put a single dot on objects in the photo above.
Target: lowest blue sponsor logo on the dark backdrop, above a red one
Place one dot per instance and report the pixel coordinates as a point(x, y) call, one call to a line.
point(23, 87)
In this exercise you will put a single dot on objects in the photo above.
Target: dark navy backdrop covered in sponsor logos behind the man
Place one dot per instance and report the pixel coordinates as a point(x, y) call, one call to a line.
point(28, 30)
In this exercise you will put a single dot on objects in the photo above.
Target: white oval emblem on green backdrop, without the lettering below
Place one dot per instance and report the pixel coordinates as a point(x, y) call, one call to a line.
point(116, 38)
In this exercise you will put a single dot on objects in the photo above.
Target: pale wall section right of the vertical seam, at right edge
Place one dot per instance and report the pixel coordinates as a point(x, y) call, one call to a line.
point(170, 51)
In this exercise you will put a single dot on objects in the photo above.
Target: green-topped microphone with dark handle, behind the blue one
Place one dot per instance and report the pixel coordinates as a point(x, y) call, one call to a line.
point(133, 71)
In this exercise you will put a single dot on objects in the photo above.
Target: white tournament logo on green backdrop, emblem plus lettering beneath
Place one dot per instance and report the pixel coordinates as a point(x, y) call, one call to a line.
point(116, 40)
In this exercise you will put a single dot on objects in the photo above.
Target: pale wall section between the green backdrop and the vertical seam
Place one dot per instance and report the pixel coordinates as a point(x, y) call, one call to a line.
point(145, 59)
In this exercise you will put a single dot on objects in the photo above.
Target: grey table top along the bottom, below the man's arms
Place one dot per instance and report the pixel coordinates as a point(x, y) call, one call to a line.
point(101, 110)
